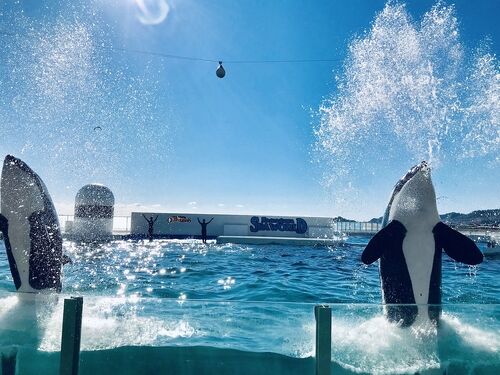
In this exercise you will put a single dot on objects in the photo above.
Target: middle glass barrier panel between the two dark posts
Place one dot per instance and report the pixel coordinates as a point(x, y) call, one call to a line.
point(147, 335)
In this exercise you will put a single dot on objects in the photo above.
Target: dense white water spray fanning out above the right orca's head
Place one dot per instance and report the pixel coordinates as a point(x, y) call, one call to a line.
point(409, 91)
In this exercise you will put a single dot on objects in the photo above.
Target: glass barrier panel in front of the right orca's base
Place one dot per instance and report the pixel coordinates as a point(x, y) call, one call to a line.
point(466, 340)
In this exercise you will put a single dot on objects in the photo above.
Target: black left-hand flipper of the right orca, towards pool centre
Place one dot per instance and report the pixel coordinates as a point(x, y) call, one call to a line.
point(393, 233)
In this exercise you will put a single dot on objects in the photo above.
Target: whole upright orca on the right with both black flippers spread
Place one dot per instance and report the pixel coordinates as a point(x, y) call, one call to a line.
point(409, 248)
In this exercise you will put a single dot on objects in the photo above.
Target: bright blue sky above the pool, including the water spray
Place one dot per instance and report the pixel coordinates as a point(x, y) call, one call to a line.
point(81, 101)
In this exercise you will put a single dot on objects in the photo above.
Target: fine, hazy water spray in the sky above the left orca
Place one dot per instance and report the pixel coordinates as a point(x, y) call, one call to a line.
point(61, 79)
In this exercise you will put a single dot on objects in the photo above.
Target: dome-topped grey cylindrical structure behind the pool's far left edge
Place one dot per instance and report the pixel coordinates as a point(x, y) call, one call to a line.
point(94, 210)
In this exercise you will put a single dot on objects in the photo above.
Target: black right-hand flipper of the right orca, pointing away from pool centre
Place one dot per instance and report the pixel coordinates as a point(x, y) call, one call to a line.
point(458, 246)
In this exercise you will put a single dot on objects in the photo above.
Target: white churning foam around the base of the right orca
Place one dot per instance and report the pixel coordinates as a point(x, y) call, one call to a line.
point(377, 346)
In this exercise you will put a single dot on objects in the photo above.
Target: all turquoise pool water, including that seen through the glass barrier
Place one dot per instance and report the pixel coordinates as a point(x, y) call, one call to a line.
point(189, 307)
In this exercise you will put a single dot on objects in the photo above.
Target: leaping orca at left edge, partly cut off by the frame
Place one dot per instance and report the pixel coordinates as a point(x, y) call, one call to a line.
point(30, 228)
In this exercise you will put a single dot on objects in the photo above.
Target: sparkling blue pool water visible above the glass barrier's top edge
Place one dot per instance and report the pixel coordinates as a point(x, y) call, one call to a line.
point(187, 269)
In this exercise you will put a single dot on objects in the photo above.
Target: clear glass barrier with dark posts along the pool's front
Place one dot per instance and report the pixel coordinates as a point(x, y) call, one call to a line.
point(45, 334)
